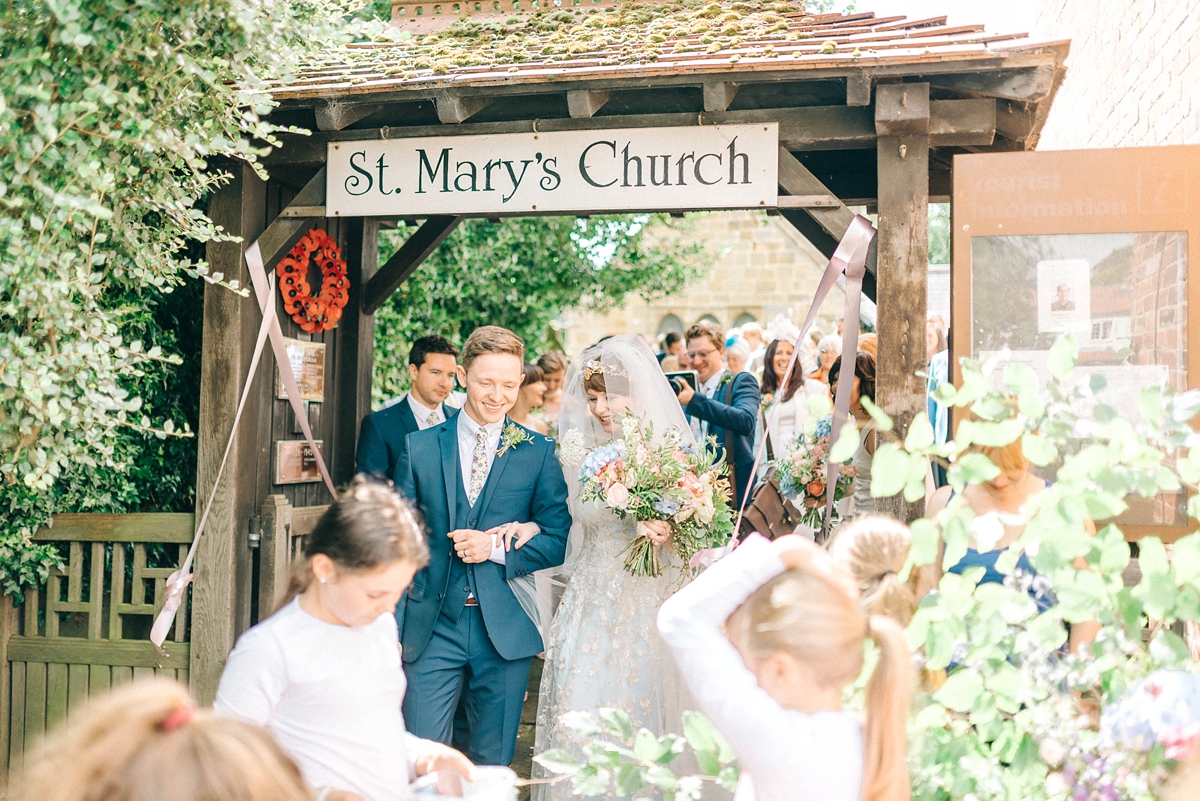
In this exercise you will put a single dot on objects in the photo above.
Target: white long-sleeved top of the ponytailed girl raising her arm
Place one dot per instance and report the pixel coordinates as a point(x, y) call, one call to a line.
point(785, 755)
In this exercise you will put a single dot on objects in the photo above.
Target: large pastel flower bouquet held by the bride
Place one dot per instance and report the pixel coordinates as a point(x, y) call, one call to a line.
point(644, 479)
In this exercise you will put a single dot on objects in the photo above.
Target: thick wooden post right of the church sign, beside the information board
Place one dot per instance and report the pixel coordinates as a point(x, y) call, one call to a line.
point(903, 154)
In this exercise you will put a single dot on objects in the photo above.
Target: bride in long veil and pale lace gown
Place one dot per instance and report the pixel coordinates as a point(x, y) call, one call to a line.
point(604, 648)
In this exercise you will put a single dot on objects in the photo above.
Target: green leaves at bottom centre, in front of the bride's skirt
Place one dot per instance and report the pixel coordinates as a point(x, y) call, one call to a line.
point(615, 758)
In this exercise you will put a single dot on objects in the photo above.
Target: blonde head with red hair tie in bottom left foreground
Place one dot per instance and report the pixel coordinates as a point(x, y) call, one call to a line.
point(147, 742)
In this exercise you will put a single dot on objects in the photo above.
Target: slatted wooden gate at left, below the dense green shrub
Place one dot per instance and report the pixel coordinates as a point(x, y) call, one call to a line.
point(88, 629)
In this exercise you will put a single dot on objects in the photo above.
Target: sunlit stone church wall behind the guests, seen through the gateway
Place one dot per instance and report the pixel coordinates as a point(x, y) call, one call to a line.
point(764, 268)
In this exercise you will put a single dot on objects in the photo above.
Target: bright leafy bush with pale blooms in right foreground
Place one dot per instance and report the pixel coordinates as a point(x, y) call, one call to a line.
point(1009, 714)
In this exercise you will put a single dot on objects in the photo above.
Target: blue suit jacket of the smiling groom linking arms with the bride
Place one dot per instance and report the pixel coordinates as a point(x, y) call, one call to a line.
point(526, 485)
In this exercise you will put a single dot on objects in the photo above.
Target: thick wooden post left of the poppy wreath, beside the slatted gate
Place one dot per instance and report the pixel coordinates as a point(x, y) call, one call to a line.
point(221, 593)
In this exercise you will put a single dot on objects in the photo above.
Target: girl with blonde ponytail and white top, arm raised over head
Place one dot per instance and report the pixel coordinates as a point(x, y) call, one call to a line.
point(775, 691)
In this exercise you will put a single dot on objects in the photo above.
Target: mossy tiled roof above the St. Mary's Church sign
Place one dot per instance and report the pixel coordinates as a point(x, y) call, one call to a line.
point(608, 41)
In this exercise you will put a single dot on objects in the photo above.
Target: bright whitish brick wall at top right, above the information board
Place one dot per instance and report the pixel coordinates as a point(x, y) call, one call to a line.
point(1133, 75)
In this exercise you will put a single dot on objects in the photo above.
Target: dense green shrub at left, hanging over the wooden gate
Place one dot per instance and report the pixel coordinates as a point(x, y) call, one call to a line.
point(112, 116)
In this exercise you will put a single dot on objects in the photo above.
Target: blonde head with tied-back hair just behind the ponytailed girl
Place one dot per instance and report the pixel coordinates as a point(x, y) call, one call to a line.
point(874, 549)
